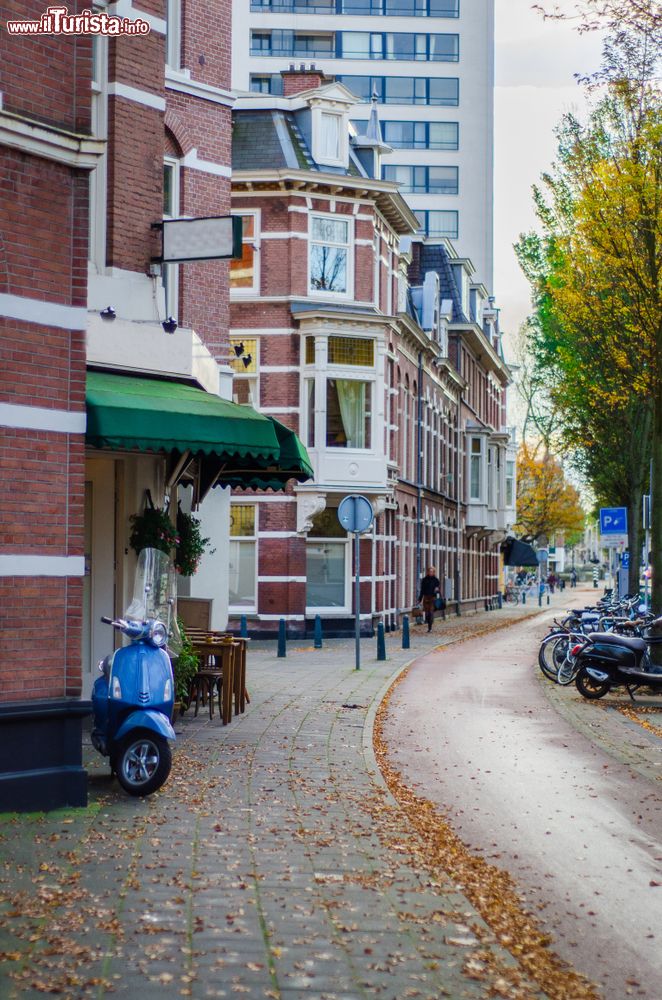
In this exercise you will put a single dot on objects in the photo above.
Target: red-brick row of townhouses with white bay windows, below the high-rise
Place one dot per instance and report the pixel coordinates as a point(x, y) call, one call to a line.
point(360, 356)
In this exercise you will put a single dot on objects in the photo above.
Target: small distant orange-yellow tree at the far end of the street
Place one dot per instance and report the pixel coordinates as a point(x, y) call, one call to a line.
point(546, 502)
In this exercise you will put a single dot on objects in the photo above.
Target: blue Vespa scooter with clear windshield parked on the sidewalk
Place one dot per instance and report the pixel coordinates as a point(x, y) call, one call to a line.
point(133, 699)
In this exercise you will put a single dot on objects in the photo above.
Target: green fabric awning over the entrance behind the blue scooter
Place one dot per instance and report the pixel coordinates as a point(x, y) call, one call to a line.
point(234, 444)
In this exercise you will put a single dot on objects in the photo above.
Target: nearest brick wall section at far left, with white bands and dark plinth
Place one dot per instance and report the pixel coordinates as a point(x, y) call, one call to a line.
point(47, 151)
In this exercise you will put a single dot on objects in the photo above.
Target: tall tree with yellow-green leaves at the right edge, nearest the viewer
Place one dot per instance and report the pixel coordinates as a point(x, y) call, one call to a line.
point(595, 271)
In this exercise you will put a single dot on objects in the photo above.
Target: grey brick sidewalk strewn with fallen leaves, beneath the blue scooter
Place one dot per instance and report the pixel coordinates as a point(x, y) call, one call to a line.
point(273, 864)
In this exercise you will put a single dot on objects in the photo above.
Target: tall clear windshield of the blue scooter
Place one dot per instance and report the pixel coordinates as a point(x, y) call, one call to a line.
point(155, 593)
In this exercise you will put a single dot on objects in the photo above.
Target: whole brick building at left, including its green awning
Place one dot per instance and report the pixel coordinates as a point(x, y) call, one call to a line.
point(103, 139)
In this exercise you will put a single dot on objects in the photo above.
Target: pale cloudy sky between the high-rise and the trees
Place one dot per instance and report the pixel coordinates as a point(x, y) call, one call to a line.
point(535, 62)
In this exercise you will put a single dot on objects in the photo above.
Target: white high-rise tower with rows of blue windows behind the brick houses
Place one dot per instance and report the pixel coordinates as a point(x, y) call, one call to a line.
point(430, 65)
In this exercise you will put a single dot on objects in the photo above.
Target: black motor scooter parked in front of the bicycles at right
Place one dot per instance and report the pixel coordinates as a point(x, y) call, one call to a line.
point(607, 660)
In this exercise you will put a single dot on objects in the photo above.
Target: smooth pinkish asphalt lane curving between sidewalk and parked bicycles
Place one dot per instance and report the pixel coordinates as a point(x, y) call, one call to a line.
point(471, 729)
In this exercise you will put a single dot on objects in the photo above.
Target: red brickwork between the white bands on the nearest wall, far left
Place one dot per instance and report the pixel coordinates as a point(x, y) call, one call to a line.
point(43, 244)
